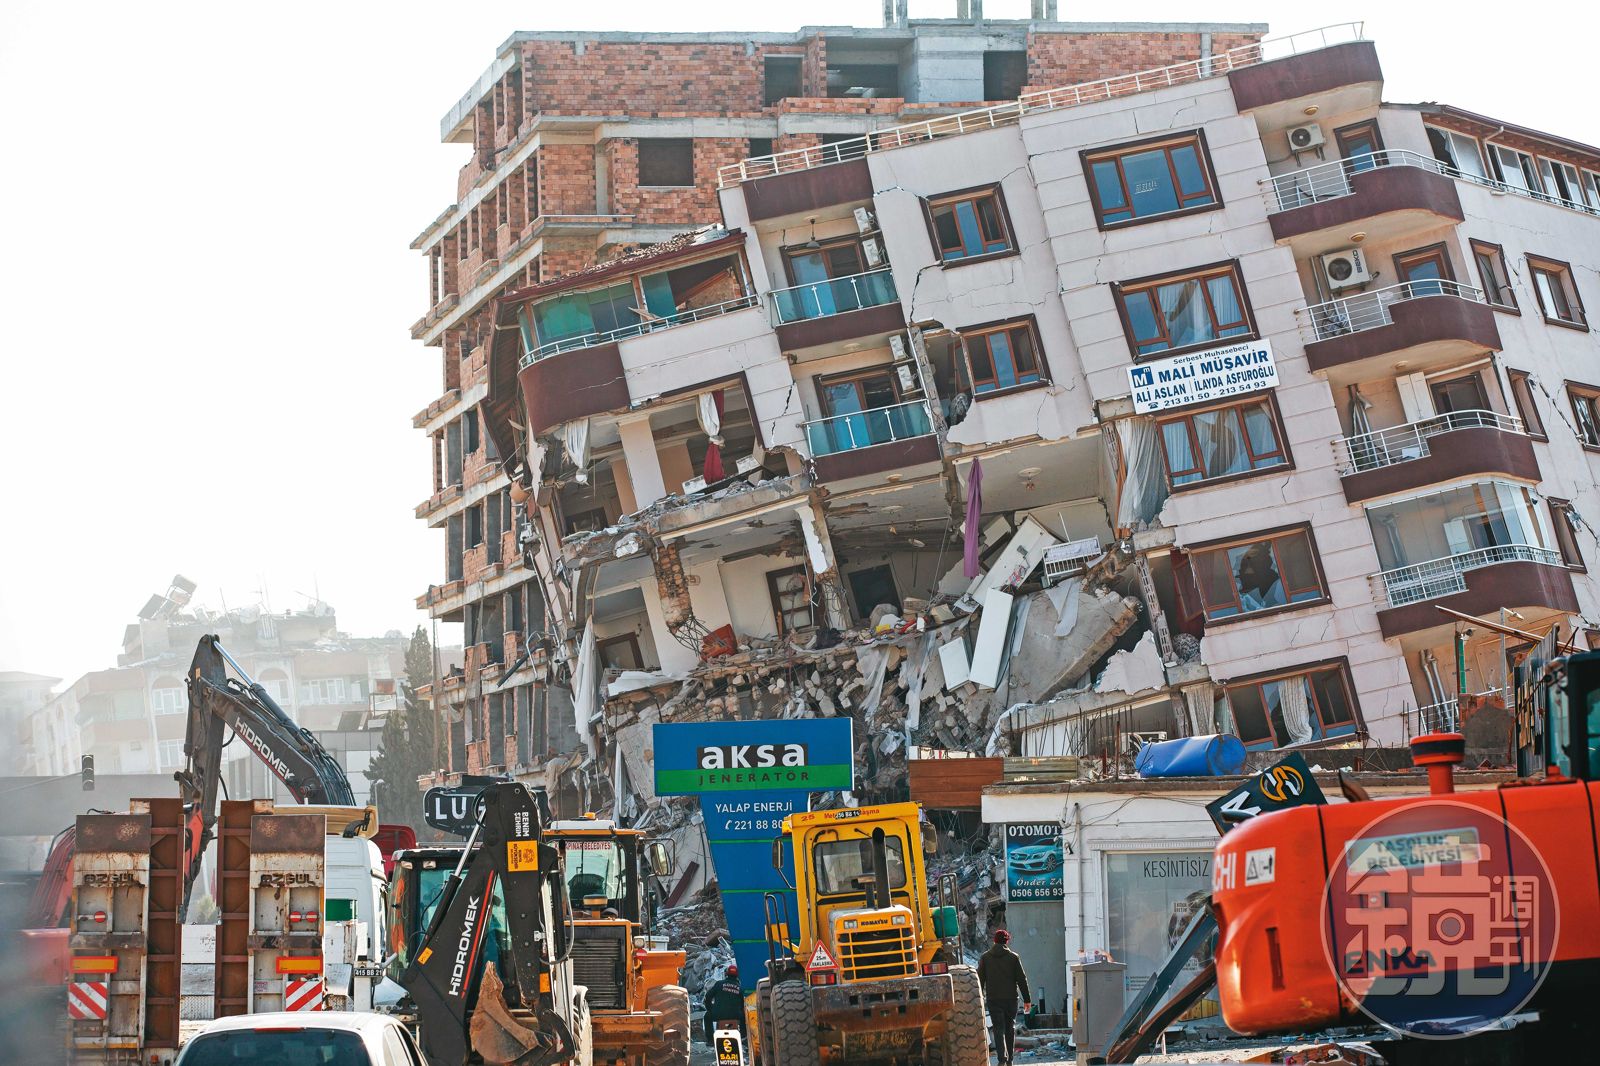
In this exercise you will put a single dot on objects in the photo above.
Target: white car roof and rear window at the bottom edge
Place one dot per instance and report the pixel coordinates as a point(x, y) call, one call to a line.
point(303, 1040)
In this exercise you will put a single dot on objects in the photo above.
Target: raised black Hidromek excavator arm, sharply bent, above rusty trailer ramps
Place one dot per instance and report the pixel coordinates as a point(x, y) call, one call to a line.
point(295, 756)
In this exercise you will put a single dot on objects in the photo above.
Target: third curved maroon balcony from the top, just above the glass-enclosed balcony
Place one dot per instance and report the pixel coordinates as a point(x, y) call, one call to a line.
point(1434, 451)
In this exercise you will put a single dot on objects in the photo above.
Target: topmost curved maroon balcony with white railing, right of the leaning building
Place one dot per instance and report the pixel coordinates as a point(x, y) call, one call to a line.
point(1388, 193)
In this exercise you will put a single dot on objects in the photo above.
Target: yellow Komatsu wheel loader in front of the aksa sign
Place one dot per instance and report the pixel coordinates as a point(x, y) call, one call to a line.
point(870, 971)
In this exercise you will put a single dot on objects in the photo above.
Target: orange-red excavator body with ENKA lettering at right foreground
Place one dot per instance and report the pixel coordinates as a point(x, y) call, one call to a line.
point(1434, 916)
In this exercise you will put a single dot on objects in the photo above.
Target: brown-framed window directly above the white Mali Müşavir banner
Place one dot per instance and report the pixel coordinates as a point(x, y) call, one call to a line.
point(1180, 313)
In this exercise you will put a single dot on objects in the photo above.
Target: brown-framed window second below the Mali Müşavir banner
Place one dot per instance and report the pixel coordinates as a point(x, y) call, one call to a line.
point(1258, 575)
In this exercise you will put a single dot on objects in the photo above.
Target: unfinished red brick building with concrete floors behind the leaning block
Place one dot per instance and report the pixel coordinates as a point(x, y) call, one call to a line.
point(591, 145)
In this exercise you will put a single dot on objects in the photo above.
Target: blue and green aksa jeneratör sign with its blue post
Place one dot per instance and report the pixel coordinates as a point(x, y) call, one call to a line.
point(750, 777)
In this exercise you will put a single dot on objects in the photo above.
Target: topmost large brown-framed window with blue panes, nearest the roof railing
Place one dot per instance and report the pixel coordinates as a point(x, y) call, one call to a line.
point(1140, 182)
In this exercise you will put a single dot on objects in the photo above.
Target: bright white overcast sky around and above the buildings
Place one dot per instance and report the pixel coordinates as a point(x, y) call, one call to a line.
point(207, 363)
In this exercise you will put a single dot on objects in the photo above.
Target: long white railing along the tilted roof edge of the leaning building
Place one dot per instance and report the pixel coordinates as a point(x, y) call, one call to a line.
point(1042, 102)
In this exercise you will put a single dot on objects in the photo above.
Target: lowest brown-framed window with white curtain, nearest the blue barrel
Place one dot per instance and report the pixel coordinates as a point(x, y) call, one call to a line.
point(1290, 708)
